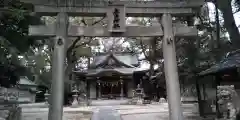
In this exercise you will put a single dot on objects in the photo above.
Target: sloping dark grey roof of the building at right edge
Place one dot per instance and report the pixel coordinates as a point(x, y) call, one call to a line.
point(232, 60)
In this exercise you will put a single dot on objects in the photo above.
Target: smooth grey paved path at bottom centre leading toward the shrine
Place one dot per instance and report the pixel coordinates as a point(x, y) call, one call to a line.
point(106, 113)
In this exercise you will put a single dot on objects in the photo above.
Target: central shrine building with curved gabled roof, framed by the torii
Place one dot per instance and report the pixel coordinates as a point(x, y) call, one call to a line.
point(110, 75)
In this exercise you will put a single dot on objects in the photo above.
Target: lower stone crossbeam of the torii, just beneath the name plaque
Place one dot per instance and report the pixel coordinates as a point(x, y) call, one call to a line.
point(97, 31)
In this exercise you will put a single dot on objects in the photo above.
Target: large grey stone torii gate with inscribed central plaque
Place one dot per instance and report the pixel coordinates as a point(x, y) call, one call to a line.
point(116, 12)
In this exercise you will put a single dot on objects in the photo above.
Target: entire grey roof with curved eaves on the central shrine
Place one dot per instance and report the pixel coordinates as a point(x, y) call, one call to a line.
point(110, 64)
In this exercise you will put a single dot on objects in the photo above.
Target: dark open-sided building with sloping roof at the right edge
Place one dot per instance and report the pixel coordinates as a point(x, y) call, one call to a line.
point(225, 72)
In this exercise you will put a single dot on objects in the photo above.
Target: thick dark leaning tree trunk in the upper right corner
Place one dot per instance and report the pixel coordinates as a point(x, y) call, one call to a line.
point(229, 22)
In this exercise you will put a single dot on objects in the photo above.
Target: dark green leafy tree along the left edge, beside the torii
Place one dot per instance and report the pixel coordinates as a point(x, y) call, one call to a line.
point(14, 22)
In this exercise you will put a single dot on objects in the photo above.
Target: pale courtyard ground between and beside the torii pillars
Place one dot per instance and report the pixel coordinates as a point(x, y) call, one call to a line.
point(112, 112)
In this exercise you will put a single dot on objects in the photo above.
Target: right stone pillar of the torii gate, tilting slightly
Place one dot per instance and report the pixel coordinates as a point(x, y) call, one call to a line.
point(170, 68)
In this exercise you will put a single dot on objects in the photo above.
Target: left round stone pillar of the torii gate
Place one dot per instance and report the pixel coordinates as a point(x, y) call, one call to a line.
point(57, 87)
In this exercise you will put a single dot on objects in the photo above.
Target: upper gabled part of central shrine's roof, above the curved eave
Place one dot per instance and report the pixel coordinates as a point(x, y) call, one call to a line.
point(127, 60)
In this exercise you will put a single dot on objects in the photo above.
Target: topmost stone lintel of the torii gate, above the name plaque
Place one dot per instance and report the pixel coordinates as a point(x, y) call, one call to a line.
point(94, 8)
